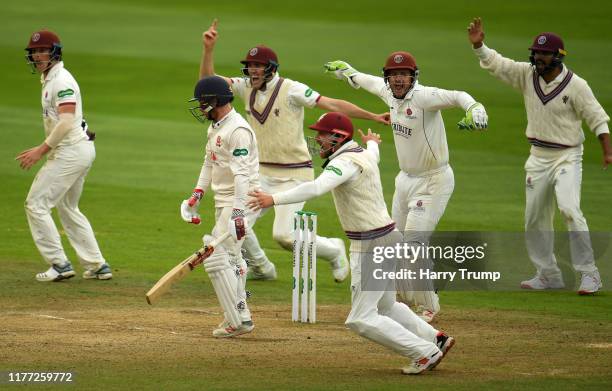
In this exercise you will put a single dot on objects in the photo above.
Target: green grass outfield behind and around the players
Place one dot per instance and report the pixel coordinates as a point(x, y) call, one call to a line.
point(136, 63)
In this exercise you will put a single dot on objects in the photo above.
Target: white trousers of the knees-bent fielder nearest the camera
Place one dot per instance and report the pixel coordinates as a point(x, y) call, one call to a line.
point(376, 315)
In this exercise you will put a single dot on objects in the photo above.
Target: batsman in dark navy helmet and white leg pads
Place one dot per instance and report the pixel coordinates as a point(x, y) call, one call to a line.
point(230, 169)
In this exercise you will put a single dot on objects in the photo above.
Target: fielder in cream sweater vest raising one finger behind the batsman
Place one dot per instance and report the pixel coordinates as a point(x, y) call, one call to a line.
point(275, 110)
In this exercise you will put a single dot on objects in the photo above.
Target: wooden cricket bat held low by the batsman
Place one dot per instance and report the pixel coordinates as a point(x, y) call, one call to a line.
point(182, 269)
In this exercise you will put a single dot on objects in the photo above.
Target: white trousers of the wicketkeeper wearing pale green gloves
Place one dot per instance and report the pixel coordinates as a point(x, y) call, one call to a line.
point(418, 205)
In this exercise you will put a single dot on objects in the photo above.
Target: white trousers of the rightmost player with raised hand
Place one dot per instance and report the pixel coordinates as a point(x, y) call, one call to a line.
point(555, 175)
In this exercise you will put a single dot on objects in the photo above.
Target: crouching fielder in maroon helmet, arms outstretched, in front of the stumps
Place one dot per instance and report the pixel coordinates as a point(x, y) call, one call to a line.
point(351, 174)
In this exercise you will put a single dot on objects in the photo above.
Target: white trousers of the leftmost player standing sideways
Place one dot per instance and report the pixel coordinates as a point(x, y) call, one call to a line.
point(59, 184)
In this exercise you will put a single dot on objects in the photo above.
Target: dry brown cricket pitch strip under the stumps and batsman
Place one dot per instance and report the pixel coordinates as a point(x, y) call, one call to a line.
point(171, 347)
